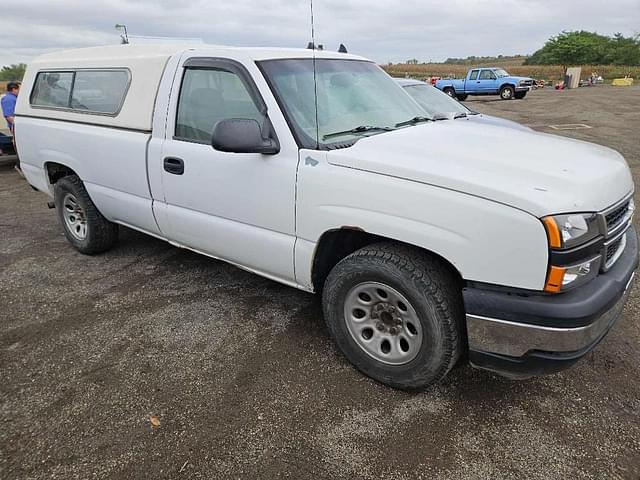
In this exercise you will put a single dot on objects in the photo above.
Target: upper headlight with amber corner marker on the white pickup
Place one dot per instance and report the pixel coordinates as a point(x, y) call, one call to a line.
point(566, 231)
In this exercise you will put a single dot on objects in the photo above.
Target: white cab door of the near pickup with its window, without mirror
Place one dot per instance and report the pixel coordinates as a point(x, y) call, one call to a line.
point(237, 207)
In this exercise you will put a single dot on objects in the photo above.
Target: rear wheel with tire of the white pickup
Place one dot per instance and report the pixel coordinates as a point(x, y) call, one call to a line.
point(99, 233)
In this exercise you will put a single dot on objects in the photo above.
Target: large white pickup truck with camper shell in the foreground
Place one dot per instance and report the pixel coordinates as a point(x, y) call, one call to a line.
point(429, 241)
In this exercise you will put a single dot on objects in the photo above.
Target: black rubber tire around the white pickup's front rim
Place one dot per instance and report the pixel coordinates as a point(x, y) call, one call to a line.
point(434, 294)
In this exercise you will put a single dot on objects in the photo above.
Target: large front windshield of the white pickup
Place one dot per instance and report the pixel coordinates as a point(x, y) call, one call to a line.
point(355, 99)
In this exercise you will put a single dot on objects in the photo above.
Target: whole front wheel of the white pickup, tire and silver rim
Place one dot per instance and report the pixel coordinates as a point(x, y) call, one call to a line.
point(396, 314)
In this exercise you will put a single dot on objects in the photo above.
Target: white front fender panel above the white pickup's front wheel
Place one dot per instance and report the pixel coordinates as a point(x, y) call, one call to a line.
point(484, 240)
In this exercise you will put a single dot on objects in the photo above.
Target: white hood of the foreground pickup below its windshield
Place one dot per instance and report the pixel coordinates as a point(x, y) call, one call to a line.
point(539, 173)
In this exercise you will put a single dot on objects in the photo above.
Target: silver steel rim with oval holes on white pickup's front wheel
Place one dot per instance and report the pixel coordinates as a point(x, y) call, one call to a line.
point(383, 323)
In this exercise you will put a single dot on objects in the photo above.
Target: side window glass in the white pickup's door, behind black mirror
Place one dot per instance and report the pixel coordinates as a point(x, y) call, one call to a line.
point(207, 96)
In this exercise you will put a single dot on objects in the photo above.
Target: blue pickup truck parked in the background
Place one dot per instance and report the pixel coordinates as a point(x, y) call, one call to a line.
point(487, 81)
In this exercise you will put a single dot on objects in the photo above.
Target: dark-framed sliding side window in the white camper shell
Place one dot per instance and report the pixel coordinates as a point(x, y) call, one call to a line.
point(83, 91)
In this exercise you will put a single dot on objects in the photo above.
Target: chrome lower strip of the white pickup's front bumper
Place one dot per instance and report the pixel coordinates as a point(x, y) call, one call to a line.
point(517, 339)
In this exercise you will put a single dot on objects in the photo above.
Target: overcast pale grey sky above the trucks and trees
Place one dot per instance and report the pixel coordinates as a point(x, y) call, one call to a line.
point(381, 30)
